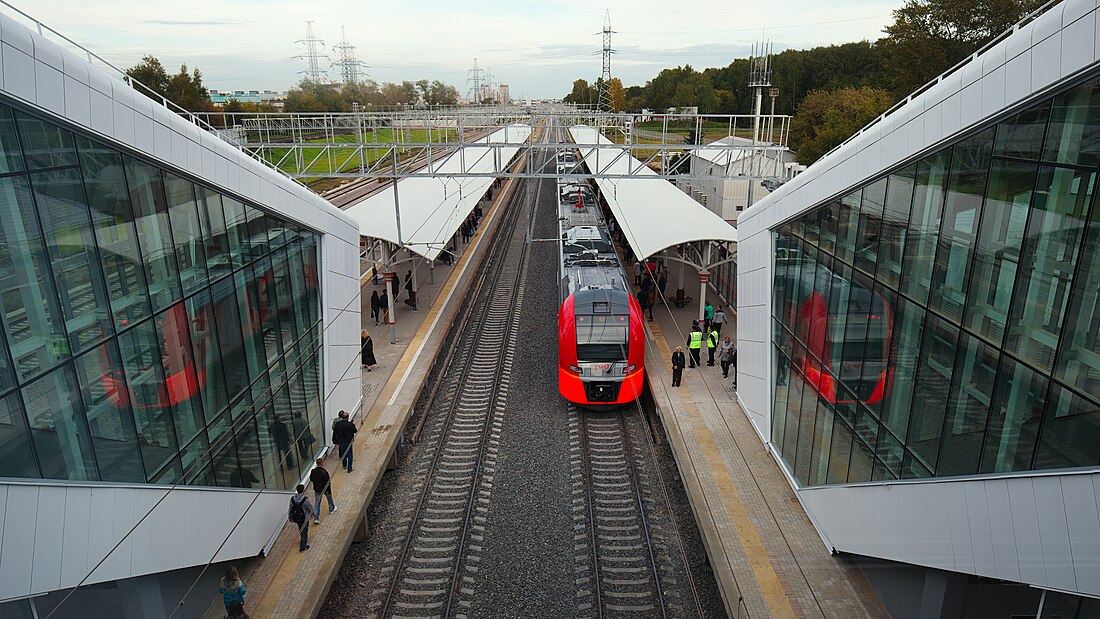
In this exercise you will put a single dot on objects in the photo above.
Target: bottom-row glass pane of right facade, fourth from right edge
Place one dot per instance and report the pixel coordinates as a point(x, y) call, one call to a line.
point(933, 385)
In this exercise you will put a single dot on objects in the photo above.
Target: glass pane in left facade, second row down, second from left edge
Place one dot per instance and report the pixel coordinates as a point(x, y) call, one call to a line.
point(71, 242)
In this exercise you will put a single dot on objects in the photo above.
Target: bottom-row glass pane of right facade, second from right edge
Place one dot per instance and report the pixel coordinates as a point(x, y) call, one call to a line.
point(1017, 414)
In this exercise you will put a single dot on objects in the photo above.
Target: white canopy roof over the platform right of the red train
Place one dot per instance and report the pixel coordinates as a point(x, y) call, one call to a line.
point(654, 214)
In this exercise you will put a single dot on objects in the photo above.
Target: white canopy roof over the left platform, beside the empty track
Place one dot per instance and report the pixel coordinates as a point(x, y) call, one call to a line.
point(434, 208)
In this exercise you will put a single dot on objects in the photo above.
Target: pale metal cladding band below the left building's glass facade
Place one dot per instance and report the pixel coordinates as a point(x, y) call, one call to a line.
point(56, 534)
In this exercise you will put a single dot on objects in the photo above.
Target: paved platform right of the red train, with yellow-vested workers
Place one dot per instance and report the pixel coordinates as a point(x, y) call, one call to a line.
point(766, 556)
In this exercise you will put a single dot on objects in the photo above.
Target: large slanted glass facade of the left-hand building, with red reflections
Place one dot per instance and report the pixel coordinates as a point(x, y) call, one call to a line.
point(153, 330)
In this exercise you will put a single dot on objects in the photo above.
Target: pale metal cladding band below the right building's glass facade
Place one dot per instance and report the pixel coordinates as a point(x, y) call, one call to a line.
point(1039, 529)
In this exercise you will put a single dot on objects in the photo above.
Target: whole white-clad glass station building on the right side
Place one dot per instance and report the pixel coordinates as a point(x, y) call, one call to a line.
point(920, 328)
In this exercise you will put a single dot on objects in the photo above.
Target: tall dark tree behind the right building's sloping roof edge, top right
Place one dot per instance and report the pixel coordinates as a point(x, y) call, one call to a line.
point(930, 37)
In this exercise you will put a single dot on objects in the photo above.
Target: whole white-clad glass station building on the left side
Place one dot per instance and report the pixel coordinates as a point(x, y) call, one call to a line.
point(180, 328)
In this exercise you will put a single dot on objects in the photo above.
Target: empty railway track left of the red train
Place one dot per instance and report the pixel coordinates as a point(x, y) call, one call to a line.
point(437, 543)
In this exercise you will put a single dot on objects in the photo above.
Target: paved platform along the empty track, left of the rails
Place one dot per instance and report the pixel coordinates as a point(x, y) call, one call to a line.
point(288, 583)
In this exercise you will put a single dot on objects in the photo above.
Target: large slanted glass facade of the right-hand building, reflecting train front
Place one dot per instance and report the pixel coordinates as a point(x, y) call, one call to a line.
point(945, 319)
